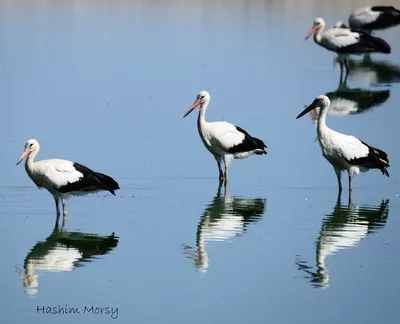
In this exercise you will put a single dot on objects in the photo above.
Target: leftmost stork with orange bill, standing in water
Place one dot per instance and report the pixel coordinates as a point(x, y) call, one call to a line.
point(63, 178)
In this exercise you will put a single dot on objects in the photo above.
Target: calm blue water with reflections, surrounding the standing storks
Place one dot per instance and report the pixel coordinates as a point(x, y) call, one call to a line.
point(106, 84)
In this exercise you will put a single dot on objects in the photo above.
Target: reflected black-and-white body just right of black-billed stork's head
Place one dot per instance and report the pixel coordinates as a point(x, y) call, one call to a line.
point(357, 100)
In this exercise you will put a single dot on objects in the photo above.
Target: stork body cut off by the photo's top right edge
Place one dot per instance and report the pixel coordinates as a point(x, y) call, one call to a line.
point(374, 18)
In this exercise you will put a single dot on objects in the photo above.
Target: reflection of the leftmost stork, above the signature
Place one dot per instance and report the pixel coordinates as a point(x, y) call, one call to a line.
point(62, 251)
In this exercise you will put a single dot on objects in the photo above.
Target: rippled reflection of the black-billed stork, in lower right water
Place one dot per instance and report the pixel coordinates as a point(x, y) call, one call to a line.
point(345, 227)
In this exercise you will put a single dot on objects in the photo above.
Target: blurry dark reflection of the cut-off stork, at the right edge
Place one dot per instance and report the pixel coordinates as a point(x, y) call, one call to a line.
point(370, 71)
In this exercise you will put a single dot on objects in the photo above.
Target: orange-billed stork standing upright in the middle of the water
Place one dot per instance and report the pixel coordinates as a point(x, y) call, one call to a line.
point(224, 140)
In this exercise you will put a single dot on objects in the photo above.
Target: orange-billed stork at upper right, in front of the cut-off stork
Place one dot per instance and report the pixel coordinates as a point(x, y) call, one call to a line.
point(346, 42)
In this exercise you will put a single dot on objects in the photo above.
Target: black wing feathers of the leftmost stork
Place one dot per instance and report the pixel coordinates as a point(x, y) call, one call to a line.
point(90, 181)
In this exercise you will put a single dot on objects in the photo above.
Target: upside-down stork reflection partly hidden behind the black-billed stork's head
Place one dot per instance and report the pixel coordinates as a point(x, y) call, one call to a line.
point(350, 101)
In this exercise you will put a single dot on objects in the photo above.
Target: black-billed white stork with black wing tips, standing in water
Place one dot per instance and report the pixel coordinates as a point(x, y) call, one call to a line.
point(345, 152)
